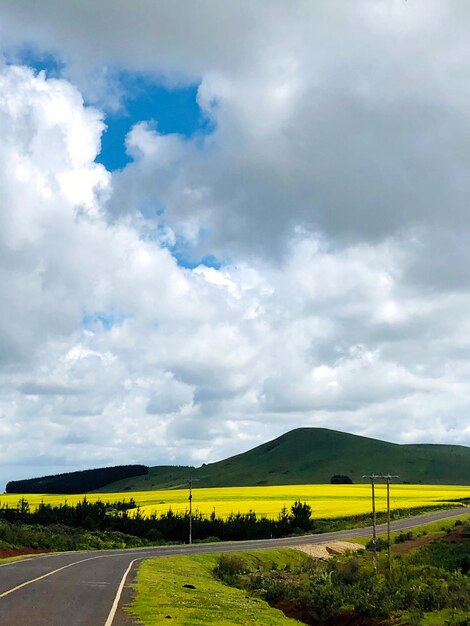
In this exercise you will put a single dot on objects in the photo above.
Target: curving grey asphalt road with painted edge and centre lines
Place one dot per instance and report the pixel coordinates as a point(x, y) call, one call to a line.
point(84, 588)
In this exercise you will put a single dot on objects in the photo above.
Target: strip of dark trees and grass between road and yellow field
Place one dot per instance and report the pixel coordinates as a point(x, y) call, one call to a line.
point(117, 524)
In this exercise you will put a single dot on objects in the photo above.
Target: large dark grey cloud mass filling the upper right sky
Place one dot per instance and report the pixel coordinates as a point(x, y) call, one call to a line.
point(349, 122)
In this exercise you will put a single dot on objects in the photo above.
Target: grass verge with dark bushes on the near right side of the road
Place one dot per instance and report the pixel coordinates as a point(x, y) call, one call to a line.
point(428, 585)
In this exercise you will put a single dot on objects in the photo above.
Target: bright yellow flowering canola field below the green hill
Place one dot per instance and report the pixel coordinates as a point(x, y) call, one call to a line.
point(325, 500)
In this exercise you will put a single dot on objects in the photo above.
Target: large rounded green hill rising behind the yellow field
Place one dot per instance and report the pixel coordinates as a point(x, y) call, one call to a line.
point(314, 455)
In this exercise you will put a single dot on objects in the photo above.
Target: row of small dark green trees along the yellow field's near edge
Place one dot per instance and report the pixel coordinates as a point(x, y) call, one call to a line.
point(169, 526)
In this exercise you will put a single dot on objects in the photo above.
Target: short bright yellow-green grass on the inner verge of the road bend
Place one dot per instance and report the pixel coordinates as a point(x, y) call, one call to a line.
point(160, 592)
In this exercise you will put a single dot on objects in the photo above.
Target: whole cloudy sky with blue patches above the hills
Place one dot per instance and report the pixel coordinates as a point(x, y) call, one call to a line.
point(220, 221)
